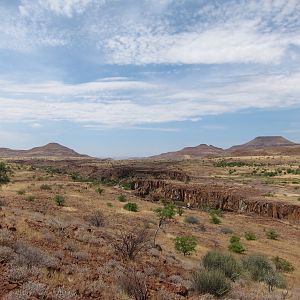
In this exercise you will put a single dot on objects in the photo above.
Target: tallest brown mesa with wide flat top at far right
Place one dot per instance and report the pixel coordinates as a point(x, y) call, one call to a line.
point(262, 142)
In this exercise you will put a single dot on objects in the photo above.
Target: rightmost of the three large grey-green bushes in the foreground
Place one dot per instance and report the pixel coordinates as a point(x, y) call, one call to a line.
point(257, 266)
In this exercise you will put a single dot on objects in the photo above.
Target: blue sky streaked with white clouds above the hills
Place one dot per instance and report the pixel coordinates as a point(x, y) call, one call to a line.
point(132, 78)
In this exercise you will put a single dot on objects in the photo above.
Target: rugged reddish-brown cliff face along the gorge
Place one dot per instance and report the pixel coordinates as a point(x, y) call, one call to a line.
point(231, 199)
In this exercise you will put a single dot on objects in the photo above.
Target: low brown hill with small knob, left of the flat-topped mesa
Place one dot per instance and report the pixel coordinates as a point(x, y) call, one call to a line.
point(191, 152)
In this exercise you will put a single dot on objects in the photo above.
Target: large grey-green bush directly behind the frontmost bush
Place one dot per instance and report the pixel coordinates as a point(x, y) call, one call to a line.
point(215, 260)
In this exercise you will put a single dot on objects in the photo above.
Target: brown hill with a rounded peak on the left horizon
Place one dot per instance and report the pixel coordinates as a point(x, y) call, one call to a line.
point(49, 150)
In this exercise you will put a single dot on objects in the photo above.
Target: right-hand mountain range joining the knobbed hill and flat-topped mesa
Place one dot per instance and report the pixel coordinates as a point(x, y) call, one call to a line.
point(262, 145)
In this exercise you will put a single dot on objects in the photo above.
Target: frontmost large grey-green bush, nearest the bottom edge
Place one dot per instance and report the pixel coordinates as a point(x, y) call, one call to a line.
point(212, 282)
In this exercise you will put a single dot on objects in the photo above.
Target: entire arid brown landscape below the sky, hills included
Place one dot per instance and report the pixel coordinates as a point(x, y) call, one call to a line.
point(199, 223)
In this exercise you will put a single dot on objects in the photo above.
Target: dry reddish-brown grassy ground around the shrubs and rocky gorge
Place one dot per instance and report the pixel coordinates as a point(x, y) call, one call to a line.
point(80, 261)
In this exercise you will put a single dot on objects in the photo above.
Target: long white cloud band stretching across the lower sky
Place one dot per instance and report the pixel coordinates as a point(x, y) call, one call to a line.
point(142, 106)
